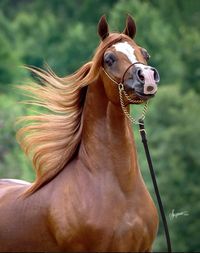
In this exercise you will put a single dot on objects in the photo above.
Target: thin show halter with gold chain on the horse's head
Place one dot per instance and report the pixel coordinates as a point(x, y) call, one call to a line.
point(122, 93)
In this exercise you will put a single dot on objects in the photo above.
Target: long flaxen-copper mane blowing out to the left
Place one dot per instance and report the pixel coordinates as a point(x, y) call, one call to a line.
point(51, 139)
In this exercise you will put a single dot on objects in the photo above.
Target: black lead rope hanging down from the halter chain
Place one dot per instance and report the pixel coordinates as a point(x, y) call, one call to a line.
point(148, 156)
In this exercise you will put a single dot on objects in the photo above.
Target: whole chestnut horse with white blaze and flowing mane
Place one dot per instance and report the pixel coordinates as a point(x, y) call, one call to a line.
point(89, 194)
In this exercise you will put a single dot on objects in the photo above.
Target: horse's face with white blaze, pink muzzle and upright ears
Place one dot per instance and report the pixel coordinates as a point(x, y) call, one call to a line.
point(127, 63)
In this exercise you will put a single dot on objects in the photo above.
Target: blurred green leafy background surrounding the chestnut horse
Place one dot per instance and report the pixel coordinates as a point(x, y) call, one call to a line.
point(63, 34)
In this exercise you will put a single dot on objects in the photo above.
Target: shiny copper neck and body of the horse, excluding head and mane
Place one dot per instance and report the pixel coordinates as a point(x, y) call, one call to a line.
point(97, 203)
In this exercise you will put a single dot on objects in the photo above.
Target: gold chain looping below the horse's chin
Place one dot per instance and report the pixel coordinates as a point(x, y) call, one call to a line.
point(128, 115)
